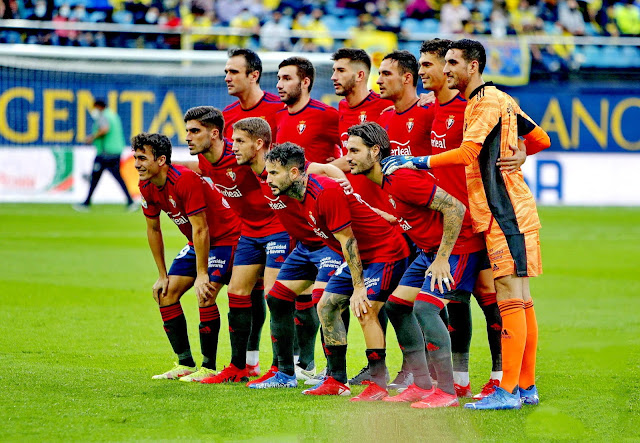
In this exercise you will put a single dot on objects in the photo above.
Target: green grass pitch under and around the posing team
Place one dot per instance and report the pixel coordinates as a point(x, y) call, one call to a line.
point(80, 337)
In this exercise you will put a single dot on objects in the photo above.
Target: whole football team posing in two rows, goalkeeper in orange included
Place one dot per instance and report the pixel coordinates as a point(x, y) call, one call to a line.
point(390, 207)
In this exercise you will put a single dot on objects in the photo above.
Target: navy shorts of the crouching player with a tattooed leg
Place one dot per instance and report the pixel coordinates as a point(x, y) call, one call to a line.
point(381, 279)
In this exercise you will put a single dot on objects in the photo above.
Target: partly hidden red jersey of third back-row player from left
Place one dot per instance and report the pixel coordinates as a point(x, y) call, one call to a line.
point(369, 110)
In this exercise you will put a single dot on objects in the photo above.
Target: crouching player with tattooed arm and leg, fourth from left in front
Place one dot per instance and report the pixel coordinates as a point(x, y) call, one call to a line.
point(375, 258)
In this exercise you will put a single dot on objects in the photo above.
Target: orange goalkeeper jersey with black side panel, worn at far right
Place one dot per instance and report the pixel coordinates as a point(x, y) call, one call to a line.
point(493, 121)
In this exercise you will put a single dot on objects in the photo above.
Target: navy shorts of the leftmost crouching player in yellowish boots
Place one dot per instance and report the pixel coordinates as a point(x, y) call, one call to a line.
point(220, 260)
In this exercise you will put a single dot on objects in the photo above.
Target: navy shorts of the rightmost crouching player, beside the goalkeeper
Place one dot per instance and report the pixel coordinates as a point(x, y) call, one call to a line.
point(464, 269)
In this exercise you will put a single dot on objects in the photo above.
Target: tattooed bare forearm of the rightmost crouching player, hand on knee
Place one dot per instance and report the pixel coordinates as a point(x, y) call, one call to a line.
point(452, 212)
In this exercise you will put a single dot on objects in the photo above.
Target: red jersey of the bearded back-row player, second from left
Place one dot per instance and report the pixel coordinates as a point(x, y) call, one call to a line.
point(314, 128)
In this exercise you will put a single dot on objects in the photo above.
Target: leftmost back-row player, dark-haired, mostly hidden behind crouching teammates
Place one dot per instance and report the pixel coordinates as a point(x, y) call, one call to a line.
point(242, 75)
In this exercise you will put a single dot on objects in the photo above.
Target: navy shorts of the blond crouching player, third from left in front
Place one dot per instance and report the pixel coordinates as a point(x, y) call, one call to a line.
point(270, 251)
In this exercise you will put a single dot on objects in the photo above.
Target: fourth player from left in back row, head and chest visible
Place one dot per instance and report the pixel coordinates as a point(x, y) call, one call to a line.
point(408, 124)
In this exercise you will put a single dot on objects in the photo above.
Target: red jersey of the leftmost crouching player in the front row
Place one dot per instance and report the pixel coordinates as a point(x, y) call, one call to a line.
point(185, 194)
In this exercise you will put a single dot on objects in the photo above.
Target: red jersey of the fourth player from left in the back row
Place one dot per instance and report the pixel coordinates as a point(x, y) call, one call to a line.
point(409, 131)
